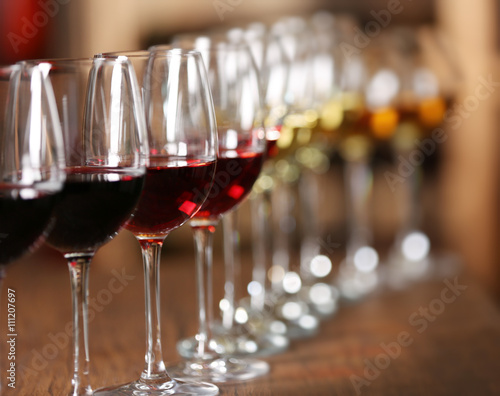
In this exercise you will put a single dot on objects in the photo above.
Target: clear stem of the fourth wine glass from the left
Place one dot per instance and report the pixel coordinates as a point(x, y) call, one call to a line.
point(203, 239)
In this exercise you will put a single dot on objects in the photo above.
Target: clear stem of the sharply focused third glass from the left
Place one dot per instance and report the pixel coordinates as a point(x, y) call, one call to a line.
point(154, 366)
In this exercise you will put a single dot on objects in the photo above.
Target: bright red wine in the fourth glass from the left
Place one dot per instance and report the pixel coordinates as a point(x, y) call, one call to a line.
point(235, 175)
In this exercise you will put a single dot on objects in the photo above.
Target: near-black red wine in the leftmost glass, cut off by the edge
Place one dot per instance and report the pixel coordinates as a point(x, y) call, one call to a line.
point(25, 217)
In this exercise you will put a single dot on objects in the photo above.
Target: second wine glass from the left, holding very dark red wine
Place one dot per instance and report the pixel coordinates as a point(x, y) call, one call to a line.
point(106, 156)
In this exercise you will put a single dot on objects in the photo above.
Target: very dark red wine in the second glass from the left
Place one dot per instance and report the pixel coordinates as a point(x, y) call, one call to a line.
point(95, 203)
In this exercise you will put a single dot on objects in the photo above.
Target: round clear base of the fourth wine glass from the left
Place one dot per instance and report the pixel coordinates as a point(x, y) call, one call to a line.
point(223, 369)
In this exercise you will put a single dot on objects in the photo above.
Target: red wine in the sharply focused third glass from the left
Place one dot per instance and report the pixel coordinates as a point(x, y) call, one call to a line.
point(174, 191)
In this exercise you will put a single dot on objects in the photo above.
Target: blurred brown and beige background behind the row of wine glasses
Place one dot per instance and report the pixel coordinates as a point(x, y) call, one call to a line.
point(462, 192)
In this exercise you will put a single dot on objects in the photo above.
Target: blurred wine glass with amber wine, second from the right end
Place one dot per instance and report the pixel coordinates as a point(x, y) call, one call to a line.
point(370, 86)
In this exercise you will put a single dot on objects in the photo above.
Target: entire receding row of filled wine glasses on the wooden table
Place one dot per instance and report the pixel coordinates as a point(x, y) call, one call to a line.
point(150, 140)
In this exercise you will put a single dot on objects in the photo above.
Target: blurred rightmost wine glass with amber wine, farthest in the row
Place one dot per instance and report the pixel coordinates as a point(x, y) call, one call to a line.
point(428, 83)
